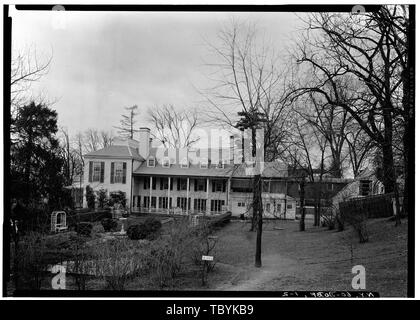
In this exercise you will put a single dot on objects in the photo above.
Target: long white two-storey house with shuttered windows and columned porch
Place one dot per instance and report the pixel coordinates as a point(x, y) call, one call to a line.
point(184, 181)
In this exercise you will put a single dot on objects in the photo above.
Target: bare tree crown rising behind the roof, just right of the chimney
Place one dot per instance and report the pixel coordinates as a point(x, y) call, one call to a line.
point(174, 128)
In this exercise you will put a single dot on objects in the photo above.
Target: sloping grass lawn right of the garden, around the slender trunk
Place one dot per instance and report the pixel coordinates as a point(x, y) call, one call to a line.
point(317, 259)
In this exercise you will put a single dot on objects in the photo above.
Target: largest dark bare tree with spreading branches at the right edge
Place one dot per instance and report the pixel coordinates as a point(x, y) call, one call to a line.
point(358, 47)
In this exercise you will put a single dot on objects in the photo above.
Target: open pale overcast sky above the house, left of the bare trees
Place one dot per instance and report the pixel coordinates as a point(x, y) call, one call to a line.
point(105, 61)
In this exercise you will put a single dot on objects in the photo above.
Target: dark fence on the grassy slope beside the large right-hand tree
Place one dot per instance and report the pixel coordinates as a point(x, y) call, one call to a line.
point(377, 206)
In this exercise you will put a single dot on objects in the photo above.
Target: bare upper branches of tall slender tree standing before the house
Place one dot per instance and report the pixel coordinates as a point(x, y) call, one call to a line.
point(247, 81)
